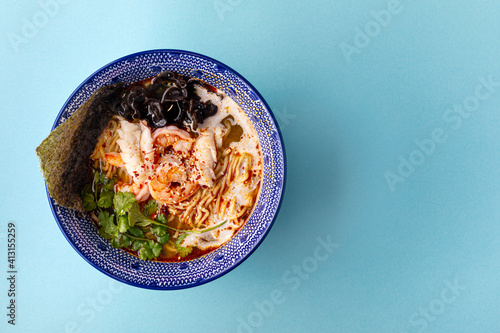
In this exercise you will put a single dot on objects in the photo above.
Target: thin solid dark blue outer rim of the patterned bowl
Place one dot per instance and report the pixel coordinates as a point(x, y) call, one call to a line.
point(282, 189)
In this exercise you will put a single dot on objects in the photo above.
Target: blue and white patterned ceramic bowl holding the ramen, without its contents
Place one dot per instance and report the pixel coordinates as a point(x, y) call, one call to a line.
point(81, 232)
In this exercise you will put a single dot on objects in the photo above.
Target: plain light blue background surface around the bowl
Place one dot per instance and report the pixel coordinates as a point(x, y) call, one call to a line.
point(418, 253)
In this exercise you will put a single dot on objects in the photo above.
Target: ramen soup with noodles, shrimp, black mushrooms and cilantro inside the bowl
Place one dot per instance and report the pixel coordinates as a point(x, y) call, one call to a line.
point(176, 171)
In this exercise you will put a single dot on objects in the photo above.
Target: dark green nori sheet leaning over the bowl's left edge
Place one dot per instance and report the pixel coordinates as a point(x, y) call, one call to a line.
point(64, 154)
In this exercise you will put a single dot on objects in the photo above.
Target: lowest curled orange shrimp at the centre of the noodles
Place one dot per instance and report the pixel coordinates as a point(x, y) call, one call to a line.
point(170, 184)
